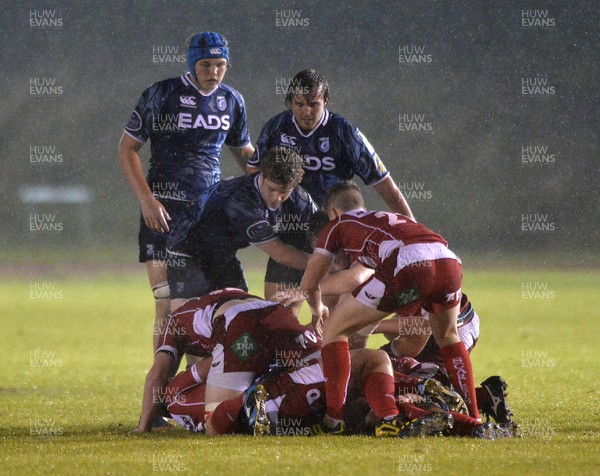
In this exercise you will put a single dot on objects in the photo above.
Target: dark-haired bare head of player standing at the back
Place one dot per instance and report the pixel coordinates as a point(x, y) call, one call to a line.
point(307, 96)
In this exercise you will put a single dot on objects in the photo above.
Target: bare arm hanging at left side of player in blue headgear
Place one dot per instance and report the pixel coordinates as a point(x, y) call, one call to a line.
point(154, 213)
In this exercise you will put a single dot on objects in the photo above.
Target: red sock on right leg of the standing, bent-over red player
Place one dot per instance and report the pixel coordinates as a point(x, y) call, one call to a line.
point(458, 364)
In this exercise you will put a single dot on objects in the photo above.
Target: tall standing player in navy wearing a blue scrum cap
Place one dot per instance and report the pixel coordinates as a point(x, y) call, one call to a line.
point(187, 120)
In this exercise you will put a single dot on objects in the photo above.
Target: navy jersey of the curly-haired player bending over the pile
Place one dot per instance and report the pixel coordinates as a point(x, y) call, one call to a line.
point(232, 215)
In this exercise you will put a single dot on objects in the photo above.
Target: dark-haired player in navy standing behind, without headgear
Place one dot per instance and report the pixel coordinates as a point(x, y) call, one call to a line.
point(333, 149)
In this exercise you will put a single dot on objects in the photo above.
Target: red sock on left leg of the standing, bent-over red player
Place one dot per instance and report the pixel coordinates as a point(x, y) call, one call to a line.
point(336, 368)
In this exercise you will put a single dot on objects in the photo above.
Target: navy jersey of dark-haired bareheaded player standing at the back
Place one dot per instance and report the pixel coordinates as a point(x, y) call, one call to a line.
point(333, 151)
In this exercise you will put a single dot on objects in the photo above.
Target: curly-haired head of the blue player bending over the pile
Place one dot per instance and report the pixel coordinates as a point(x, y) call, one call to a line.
point(280, 171)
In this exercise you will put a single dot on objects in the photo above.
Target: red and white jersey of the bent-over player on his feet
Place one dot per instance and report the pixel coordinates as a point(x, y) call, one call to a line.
point(369, 237)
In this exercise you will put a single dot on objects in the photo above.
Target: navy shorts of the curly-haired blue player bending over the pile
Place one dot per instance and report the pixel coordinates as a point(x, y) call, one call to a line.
point(194, 277)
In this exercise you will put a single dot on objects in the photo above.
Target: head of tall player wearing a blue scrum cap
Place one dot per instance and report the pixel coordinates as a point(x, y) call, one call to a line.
point(208, 59)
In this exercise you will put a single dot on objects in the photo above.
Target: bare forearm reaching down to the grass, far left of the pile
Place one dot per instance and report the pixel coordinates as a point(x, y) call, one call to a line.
point(156, 380)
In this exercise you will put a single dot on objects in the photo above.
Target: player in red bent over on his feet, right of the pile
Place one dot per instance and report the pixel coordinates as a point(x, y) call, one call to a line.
point(411, 263)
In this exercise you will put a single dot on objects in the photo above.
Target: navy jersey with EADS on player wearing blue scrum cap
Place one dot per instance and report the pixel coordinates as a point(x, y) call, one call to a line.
point(187, 130)
